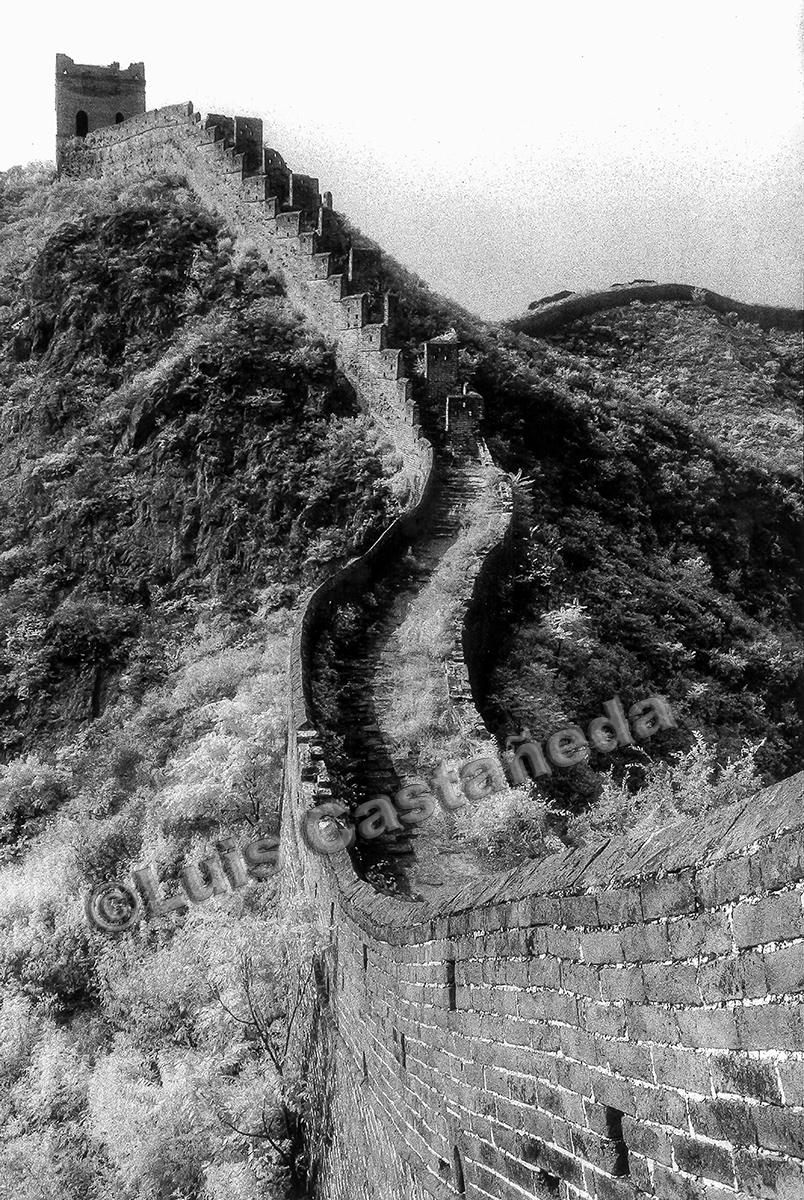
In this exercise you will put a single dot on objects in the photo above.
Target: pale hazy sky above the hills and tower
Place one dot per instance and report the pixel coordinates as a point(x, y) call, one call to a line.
point(503, 151)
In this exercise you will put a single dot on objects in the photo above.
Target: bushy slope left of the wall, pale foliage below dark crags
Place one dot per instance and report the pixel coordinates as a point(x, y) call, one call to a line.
point(179, 459)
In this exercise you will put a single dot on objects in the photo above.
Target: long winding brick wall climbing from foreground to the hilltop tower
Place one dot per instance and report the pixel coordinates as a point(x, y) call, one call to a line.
point(616, 1023)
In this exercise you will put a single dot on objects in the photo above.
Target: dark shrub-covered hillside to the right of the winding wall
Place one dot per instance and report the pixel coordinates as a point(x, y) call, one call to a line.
point(658, 557)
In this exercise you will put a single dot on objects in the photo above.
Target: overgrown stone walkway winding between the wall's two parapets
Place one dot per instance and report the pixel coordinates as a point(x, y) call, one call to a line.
point(374, 755)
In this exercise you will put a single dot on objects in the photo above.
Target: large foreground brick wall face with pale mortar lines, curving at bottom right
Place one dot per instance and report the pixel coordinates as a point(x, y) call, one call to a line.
point(620, 1023)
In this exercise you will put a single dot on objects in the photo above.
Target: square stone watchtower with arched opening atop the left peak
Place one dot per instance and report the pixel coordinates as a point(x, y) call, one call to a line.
point(89, 98)
